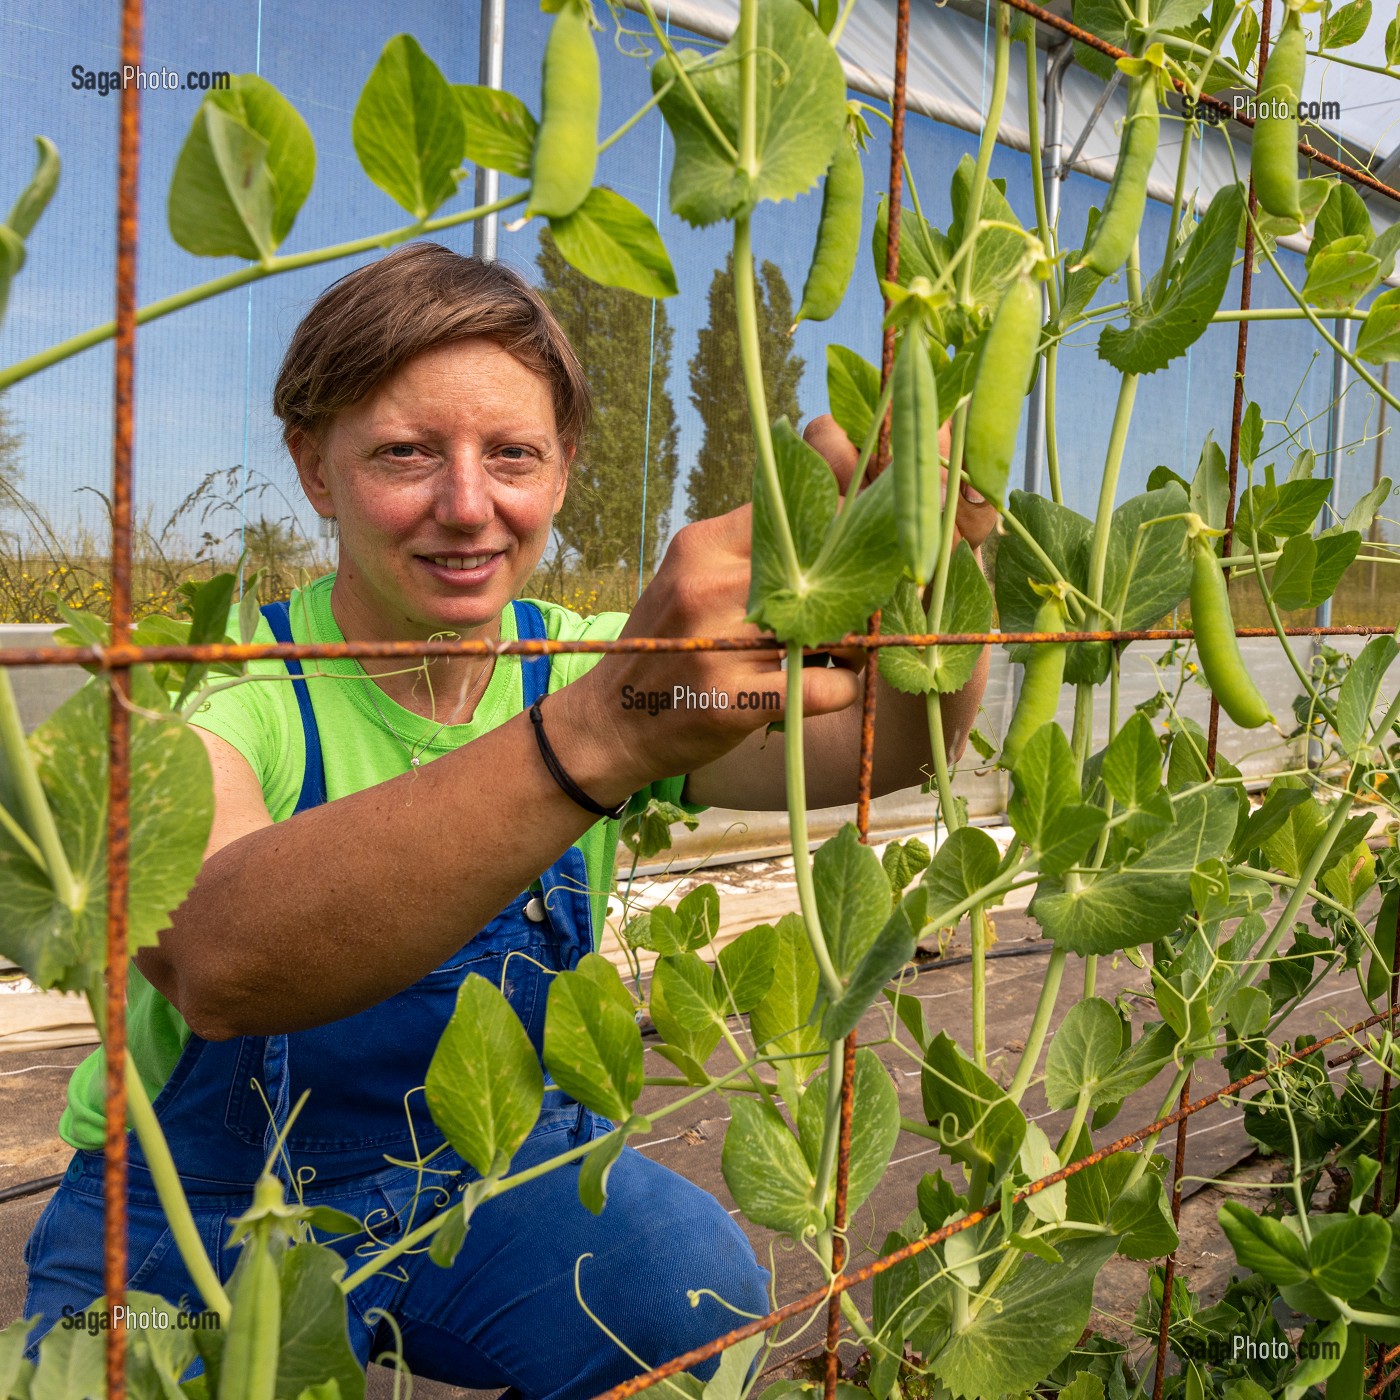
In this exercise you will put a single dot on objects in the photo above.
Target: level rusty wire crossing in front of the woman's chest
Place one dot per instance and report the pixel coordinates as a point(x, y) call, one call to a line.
point(107, 659)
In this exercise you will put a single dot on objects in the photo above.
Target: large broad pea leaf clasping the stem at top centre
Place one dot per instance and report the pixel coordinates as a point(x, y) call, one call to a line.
point(800, 115)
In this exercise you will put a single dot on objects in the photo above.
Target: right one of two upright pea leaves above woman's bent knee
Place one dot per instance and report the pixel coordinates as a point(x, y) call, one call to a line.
point(593, 1045)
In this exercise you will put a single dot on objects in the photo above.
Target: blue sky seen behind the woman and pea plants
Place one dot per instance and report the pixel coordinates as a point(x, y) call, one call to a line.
point(205, 374)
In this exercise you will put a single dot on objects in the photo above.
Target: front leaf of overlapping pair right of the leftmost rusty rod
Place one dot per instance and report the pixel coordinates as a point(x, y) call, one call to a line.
point(222, 199)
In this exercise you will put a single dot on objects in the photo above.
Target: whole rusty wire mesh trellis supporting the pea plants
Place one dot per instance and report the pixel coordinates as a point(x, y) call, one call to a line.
point(121, 656)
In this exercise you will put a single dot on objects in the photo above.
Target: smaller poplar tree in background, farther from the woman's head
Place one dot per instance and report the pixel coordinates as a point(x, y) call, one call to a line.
point(723, 477)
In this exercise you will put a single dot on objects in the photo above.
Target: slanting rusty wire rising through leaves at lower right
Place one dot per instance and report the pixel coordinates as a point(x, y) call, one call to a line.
point(846, 1282)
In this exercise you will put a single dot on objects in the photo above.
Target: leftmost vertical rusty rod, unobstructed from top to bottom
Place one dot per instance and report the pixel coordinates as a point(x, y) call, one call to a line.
point(120, 736)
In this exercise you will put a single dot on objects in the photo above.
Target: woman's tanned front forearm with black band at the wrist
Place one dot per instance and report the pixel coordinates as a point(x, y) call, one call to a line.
point(321, 916)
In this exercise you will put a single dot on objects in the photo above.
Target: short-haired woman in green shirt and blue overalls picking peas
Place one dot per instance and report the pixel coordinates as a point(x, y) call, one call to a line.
point(450, 824)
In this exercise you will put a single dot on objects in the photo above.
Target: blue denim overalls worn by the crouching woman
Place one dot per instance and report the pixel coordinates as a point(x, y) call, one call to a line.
point(506, 1314)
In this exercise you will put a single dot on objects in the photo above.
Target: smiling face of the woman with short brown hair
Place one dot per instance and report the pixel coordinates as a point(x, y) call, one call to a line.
point(444, 482)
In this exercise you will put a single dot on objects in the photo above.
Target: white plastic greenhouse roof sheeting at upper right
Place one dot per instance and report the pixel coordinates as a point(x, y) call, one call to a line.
point(950, 75)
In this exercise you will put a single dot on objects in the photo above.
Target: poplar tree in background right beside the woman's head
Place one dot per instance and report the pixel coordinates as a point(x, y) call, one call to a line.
point(611, 331)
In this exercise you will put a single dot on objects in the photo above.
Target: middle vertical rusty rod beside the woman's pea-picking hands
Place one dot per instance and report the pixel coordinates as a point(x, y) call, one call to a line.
point(867, 764)
